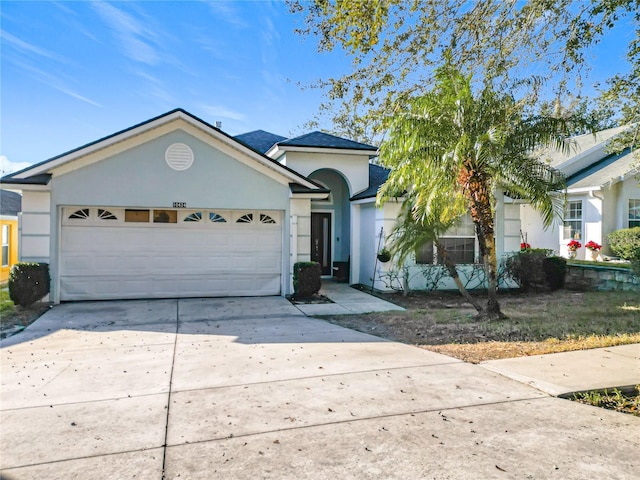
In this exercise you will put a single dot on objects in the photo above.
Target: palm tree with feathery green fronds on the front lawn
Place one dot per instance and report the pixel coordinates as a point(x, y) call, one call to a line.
point(450, 140)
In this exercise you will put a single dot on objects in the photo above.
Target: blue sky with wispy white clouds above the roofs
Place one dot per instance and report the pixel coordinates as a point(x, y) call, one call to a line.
point(75, 71)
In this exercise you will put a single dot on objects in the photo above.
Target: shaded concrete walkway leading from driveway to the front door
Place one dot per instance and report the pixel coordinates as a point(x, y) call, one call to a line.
point(346, 301)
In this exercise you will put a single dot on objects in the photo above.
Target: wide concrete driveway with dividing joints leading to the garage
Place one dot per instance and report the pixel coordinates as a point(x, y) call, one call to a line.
point(250, 388)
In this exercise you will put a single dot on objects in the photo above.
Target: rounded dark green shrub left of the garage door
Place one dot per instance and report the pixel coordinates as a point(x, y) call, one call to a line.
point(28, 283)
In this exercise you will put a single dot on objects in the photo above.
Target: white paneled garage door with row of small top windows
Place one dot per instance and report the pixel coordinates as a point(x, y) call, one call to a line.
point(108, 253)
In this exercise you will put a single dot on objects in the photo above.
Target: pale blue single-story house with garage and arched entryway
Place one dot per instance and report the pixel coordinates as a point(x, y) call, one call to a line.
point(175, 207)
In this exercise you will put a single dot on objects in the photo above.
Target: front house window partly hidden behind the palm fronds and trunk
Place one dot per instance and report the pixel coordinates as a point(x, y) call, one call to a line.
point(459, 242)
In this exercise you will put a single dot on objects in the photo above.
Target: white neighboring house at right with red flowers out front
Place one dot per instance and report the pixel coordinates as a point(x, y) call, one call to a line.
point(603, 195)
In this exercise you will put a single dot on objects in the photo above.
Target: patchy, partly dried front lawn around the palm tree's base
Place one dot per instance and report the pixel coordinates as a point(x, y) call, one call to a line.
point(537, 324)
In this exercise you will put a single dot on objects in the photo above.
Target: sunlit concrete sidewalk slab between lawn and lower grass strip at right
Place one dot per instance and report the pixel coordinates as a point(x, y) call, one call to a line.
point(561, 374)
